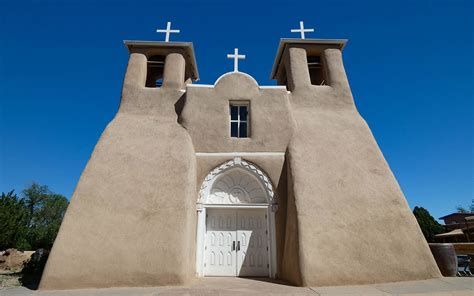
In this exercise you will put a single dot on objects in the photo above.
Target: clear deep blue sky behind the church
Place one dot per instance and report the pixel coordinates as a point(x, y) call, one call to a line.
point(410, 65)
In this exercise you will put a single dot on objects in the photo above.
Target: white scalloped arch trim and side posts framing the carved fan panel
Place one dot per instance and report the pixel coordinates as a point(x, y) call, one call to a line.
point(270, 206)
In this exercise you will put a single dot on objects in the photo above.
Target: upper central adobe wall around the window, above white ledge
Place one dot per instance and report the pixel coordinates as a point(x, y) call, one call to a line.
point(206, 115)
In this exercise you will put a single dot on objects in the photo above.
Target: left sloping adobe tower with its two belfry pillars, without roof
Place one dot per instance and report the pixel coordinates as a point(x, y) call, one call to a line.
point(128, 222)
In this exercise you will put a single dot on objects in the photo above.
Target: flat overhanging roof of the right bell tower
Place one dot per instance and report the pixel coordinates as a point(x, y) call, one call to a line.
point(312, 46)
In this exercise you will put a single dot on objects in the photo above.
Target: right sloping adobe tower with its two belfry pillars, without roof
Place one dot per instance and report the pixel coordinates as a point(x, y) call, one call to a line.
point(354, 225)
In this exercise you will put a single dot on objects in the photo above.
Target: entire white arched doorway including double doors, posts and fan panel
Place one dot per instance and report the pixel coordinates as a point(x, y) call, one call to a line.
point(236, 222)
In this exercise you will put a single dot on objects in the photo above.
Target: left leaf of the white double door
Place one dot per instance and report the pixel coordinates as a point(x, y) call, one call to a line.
point(220, 251)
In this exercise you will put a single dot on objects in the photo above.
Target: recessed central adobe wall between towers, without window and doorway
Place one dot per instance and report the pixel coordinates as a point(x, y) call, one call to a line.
point(206, 118)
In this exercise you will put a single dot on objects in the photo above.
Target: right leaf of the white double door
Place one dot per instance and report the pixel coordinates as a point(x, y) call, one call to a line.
point(252, 243)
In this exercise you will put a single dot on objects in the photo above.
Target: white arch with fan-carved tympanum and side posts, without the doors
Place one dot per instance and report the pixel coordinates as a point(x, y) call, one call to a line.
point(236, 184)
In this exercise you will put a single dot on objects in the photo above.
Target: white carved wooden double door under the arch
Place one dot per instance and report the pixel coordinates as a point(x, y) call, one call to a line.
point(236, 243)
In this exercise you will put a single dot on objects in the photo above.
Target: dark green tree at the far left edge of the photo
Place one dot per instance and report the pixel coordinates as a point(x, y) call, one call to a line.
point(13, 218)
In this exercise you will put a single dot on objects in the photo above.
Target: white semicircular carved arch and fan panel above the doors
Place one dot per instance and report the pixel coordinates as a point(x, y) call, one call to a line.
point(237, 181)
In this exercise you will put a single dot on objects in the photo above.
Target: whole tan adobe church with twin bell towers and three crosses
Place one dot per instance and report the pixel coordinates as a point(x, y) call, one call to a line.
point(237, 179)
